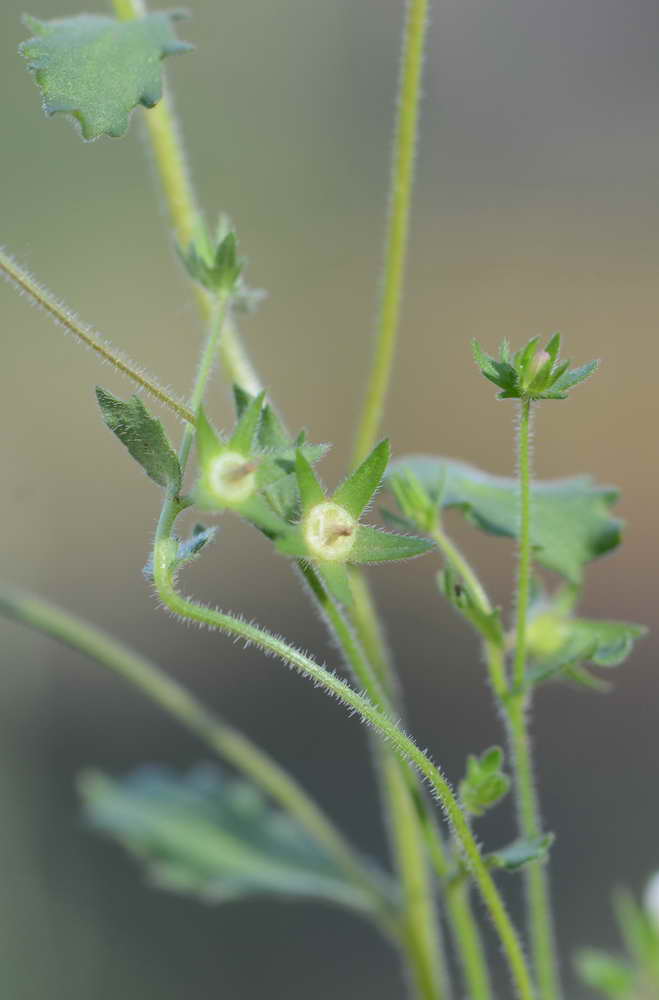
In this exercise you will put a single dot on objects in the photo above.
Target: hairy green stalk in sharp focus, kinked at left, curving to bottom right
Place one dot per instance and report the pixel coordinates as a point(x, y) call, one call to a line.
point(369, 713)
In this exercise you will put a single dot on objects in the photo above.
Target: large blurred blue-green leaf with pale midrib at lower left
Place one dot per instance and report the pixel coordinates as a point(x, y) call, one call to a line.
point(211, 837)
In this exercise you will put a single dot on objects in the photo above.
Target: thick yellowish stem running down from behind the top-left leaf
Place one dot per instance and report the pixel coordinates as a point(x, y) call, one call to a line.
point(187, 220)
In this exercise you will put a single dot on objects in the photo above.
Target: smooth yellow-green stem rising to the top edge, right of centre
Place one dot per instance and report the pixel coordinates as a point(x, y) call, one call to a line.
point(402, 182)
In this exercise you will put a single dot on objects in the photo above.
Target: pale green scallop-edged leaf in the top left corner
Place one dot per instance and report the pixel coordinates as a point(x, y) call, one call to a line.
point(98, 69)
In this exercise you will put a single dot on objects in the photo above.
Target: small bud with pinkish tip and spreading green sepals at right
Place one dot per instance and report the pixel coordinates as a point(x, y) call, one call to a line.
point(531, 373)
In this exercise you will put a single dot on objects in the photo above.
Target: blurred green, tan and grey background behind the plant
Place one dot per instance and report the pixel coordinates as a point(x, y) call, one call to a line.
point(537, 209)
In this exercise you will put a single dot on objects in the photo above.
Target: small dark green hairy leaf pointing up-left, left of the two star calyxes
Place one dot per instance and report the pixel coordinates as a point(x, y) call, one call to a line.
point(144, 437)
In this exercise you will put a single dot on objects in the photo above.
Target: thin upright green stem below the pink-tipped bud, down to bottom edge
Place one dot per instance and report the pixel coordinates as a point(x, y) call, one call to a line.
point(541, 930)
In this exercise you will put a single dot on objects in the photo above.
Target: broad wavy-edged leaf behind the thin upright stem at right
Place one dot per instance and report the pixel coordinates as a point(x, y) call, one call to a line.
point(571, 520)
